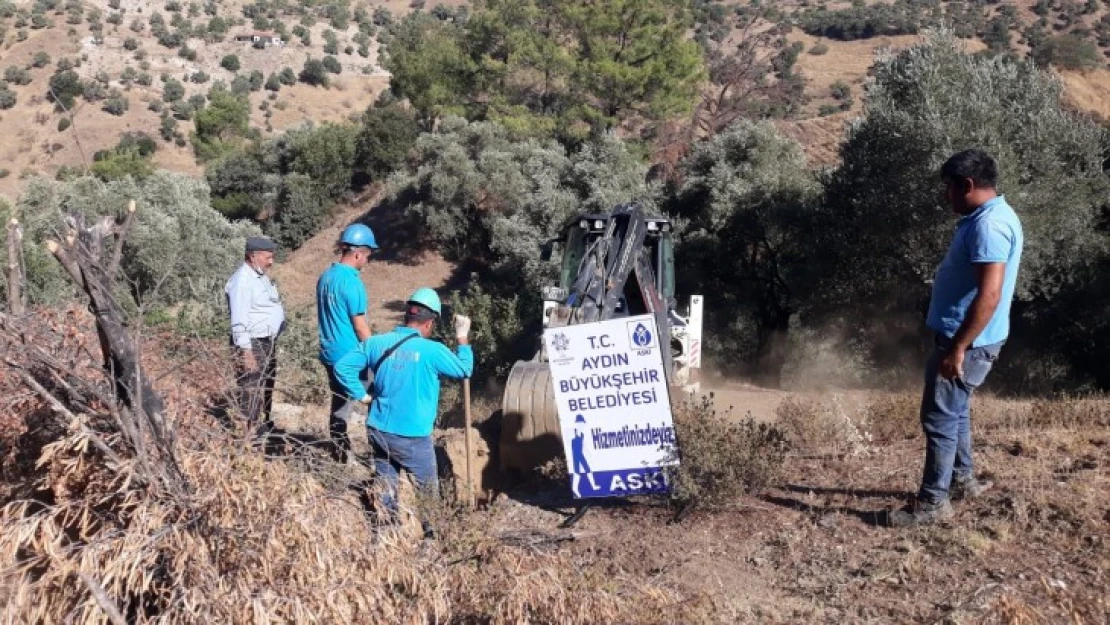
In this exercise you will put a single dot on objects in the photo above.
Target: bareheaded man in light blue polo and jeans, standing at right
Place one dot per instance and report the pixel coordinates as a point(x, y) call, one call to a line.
point(971, 315)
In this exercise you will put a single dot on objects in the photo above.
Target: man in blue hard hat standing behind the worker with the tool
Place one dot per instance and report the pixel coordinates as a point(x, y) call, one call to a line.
point(341, 311)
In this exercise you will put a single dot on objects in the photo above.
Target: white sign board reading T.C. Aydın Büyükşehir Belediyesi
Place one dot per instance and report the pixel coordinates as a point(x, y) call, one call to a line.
point(614, 407)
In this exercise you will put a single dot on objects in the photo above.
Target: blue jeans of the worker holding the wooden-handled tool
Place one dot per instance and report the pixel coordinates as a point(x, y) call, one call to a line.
point(393, 453)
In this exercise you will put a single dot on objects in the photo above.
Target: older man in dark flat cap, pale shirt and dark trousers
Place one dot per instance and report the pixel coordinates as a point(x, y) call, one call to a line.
point(257, 320)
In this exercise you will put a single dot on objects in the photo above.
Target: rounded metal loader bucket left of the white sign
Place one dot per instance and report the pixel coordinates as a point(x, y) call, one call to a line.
point(530, 436)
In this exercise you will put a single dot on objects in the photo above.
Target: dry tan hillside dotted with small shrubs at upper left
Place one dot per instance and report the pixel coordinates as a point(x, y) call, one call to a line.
point(32, 143)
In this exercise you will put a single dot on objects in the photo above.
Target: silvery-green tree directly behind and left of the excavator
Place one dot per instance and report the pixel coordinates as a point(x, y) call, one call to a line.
point(485, 196)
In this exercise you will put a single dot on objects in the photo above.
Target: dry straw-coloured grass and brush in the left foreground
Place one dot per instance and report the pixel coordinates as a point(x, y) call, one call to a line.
point(266, 541)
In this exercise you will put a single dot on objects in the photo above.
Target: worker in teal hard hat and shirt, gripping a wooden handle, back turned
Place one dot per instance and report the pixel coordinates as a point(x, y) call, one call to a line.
point(406, 395)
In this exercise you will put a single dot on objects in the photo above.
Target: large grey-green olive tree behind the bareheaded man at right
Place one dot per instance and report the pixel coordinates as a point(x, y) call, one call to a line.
point(884, 227)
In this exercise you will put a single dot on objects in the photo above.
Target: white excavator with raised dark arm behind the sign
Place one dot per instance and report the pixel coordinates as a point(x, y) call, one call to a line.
point(618, 264)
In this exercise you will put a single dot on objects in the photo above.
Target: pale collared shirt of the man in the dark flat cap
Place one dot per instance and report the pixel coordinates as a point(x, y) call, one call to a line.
point(256, 307)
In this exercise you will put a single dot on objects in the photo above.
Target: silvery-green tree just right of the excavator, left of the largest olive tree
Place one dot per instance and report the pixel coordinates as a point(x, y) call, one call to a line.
point(746, 199)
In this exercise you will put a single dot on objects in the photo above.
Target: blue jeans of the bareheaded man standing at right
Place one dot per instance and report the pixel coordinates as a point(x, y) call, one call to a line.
point(946, 418)
